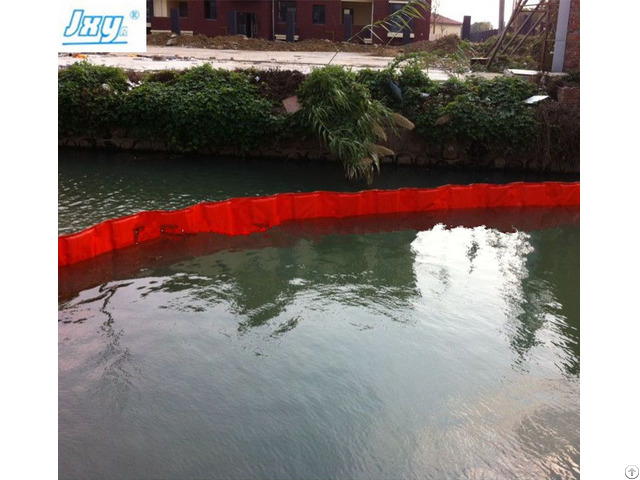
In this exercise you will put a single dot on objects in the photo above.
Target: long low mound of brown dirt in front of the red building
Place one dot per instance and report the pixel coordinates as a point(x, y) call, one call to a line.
point(240, 42)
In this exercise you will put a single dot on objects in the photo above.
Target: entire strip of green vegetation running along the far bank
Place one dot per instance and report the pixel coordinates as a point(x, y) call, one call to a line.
point(354, 115)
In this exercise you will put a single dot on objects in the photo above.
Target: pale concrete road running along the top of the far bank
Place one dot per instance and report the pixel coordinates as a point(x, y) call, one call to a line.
point(177, 58)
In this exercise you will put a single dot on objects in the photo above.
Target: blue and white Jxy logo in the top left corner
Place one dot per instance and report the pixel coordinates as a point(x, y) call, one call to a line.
point(94, 29)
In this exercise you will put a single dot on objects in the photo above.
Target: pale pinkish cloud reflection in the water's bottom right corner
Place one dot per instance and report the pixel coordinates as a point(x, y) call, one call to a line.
point(506, 432)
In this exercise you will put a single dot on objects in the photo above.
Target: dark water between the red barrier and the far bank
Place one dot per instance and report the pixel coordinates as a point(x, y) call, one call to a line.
point(97, 186)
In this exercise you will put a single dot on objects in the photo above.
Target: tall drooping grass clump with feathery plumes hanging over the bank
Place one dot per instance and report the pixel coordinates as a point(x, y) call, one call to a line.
point(347, 120)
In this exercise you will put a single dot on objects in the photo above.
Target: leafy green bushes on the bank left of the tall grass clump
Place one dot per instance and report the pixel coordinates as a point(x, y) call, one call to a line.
point(197, 109)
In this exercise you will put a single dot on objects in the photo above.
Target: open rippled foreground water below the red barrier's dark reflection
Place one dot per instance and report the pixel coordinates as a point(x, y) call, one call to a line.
point(450, 351)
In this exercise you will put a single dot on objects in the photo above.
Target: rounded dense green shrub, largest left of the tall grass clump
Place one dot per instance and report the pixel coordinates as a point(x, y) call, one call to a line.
point(201, 108)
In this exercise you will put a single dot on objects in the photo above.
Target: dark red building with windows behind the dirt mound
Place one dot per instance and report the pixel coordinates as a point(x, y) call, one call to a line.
point(334, 20)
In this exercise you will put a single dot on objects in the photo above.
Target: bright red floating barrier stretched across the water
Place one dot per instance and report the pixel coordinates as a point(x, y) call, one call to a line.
point(242, 216)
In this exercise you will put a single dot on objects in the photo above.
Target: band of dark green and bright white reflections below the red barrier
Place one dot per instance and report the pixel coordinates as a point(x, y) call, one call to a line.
point(393, 274)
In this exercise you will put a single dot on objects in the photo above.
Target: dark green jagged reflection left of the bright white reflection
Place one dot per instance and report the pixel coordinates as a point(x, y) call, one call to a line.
point(375, 273)
